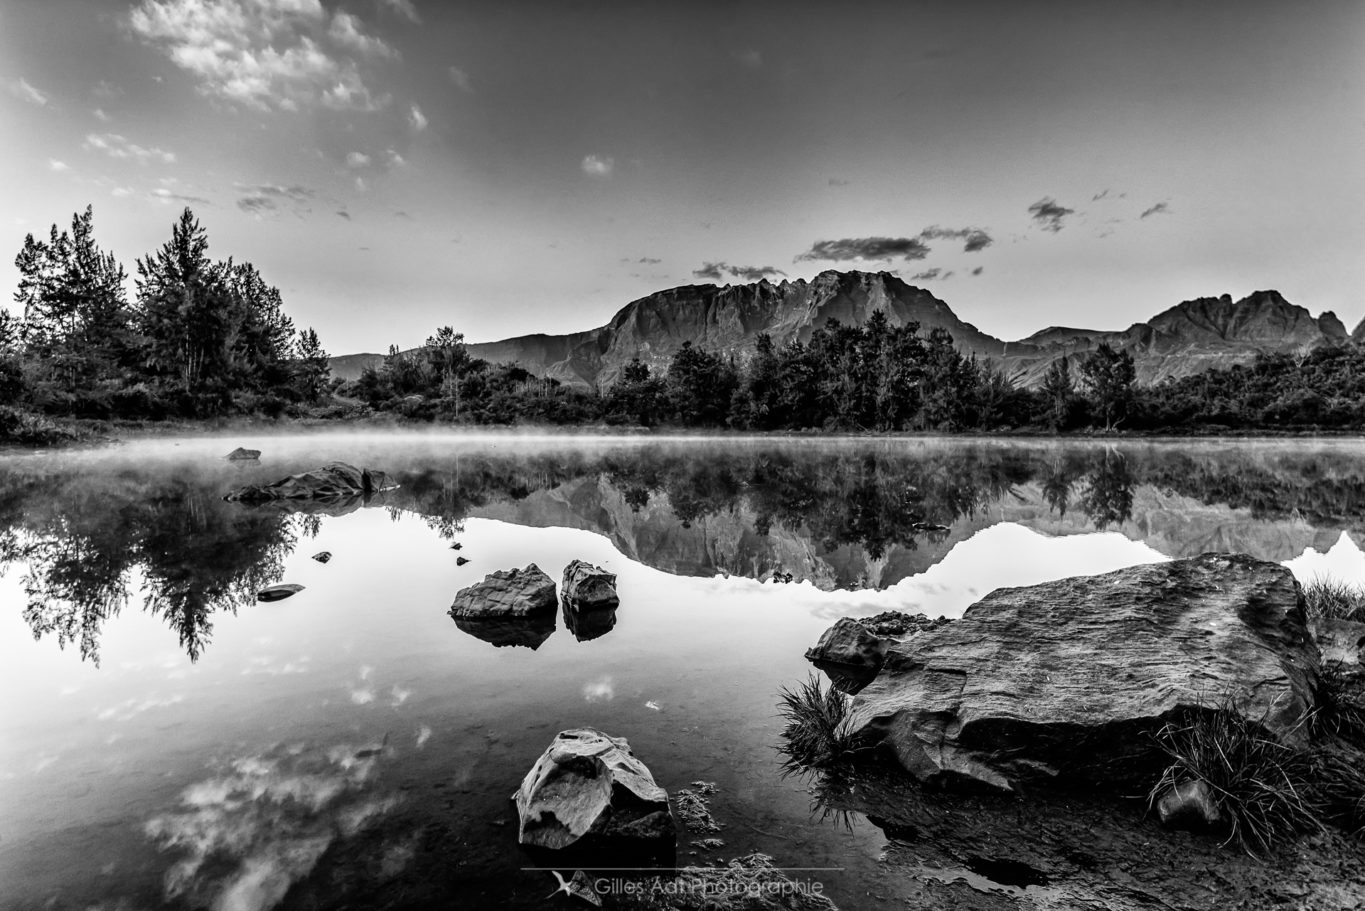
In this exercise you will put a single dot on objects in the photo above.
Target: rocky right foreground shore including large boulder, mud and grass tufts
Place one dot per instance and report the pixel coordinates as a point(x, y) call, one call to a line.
point(1188, 734)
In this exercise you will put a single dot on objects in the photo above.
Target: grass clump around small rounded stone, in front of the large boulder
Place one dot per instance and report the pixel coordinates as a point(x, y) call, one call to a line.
point(1265, 789)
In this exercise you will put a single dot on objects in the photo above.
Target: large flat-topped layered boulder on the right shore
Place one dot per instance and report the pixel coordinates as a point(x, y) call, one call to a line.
point(1071, 678)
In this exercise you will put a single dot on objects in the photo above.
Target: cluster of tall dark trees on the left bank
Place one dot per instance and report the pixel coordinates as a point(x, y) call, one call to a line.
point(200, 338)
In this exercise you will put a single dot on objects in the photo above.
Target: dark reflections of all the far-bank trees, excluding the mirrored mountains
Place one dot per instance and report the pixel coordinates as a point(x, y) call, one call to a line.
point(88, 539)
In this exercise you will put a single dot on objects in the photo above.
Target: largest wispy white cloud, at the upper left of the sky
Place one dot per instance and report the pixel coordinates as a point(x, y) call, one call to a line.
point(263, 54)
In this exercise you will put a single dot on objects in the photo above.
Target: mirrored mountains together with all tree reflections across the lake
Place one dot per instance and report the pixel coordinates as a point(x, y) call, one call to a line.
point(842, 516)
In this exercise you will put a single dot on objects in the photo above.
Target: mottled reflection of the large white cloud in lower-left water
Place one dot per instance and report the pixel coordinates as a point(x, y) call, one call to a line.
point(263, 823)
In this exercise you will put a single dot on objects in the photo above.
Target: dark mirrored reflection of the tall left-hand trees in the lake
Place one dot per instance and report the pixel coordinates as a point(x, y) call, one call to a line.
point(84, 539)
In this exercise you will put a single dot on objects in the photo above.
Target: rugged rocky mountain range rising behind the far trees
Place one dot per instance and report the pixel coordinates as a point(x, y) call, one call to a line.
point(1187, 339)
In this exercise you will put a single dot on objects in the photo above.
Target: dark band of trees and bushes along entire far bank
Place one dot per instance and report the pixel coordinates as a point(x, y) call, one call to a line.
point(204, 339)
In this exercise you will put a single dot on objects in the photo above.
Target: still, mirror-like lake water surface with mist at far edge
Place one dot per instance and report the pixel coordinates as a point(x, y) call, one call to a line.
point(169, 742)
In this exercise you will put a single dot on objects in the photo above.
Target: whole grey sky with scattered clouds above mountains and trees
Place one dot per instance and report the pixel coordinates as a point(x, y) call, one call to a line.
point(510, 167)
